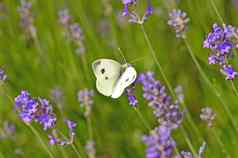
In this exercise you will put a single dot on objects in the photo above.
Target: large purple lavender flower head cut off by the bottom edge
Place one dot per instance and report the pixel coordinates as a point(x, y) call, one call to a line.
point(159, 143)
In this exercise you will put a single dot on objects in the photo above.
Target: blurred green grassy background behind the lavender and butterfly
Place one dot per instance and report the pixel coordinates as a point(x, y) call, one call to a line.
point(51, 61)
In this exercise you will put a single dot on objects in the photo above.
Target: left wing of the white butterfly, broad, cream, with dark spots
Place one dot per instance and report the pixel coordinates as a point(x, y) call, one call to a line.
point(107, 72)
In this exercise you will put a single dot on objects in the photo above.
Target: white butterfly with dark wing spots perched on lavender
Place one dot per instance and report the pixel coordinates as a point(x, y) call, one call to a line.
point(112, 77)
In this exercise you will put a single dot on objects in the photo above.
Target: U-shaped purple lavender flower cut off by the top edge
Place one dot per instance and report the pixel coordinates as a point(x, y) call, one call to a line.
point(132, 15)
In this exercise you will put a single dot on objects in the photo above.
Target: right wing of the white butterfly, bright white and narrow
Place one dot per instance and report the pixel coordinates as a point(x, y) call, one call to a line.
point(126, 79)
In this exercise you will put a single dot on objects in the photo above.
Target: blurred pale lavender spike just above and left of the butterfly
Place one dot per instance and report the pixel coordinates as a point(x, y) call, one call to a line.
point(73, 31)
